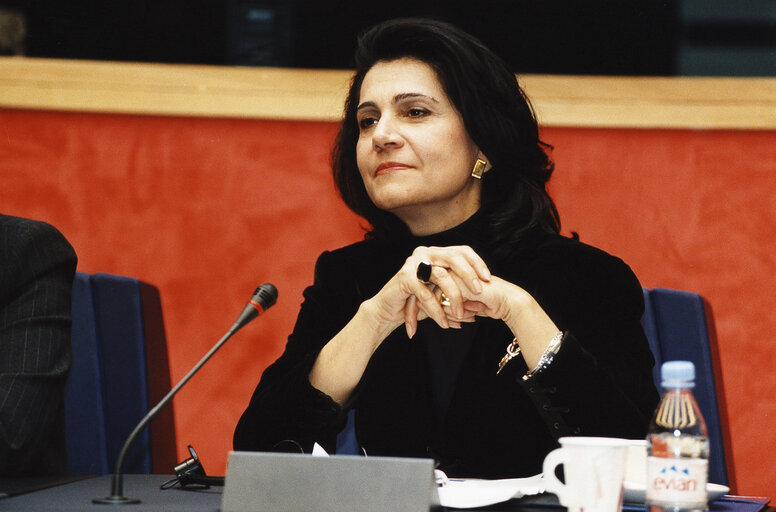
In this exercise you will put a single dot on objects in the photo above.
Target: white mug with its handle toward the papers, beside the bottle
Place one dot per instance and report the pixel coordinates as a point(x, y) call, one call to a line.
point(594, 469)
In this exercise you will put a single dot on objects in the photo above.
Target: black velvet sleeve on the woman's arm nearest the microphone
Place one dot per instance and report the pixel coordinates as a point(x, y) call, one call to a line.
point(285, 408)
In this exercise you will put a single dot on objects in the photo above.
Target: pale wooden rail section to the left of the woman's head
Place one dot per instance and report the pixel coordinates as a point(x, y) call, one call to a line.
point(203, 91)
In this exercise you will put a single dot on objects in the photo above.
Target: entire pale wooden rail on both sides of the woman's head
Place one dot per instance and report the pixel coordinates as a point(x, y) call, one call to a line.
point(317, 95)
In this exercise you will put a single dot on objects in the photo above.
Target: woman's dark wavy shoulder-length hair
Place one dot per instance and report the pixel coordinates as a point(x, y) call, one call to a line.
point(495, 111)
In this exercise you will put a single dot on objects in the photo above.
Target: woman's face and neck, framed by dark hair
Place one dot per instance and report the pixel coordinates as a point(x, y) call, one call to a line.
point(413, 151)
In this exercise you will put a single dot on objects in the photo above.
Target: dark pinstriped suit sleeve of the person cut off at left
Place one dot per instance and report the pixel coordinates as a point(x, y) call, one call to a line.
point(38, 265)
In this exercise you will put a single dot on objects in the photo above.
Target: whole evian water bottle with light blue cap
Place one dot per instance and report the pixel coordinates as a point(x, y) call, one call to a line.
point(677, 445)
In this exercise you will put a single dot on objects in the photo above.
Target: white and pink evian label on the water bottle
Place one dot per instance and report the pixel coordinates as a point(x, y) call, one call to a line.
point(671, 480)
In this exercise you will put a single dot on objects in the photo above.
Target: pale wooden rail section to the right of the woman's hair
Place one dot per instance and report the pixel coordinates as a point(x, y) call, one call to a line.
point(654, 102)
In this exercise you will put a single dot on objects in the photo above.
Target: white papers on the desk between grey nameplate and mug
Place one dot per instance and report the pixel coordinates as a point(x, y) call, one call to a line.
point(473, 493)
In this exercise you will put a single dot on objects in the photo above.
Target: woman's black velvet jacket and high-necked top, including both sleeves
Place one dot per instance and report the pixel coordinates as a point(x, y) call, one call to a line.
point(600, 383)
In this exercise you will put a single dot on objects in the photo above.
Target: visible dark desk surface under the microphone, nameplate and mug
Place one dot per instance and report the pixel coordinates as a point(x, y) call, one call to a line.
point(77, 497)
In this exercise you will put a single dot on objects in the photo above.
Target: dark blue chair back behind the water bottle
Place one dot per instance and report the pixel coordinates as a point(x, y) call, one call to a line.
point(679, 326)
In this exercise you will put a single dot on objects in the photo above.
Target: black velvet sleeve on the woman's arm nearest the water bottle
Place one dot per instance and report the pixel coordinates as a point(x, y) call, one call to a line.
point(600, 383)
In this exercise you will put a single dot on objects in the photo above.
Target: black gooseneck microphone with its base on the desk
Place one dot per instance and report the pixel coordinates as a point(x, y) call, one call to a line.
point(261, 300)
